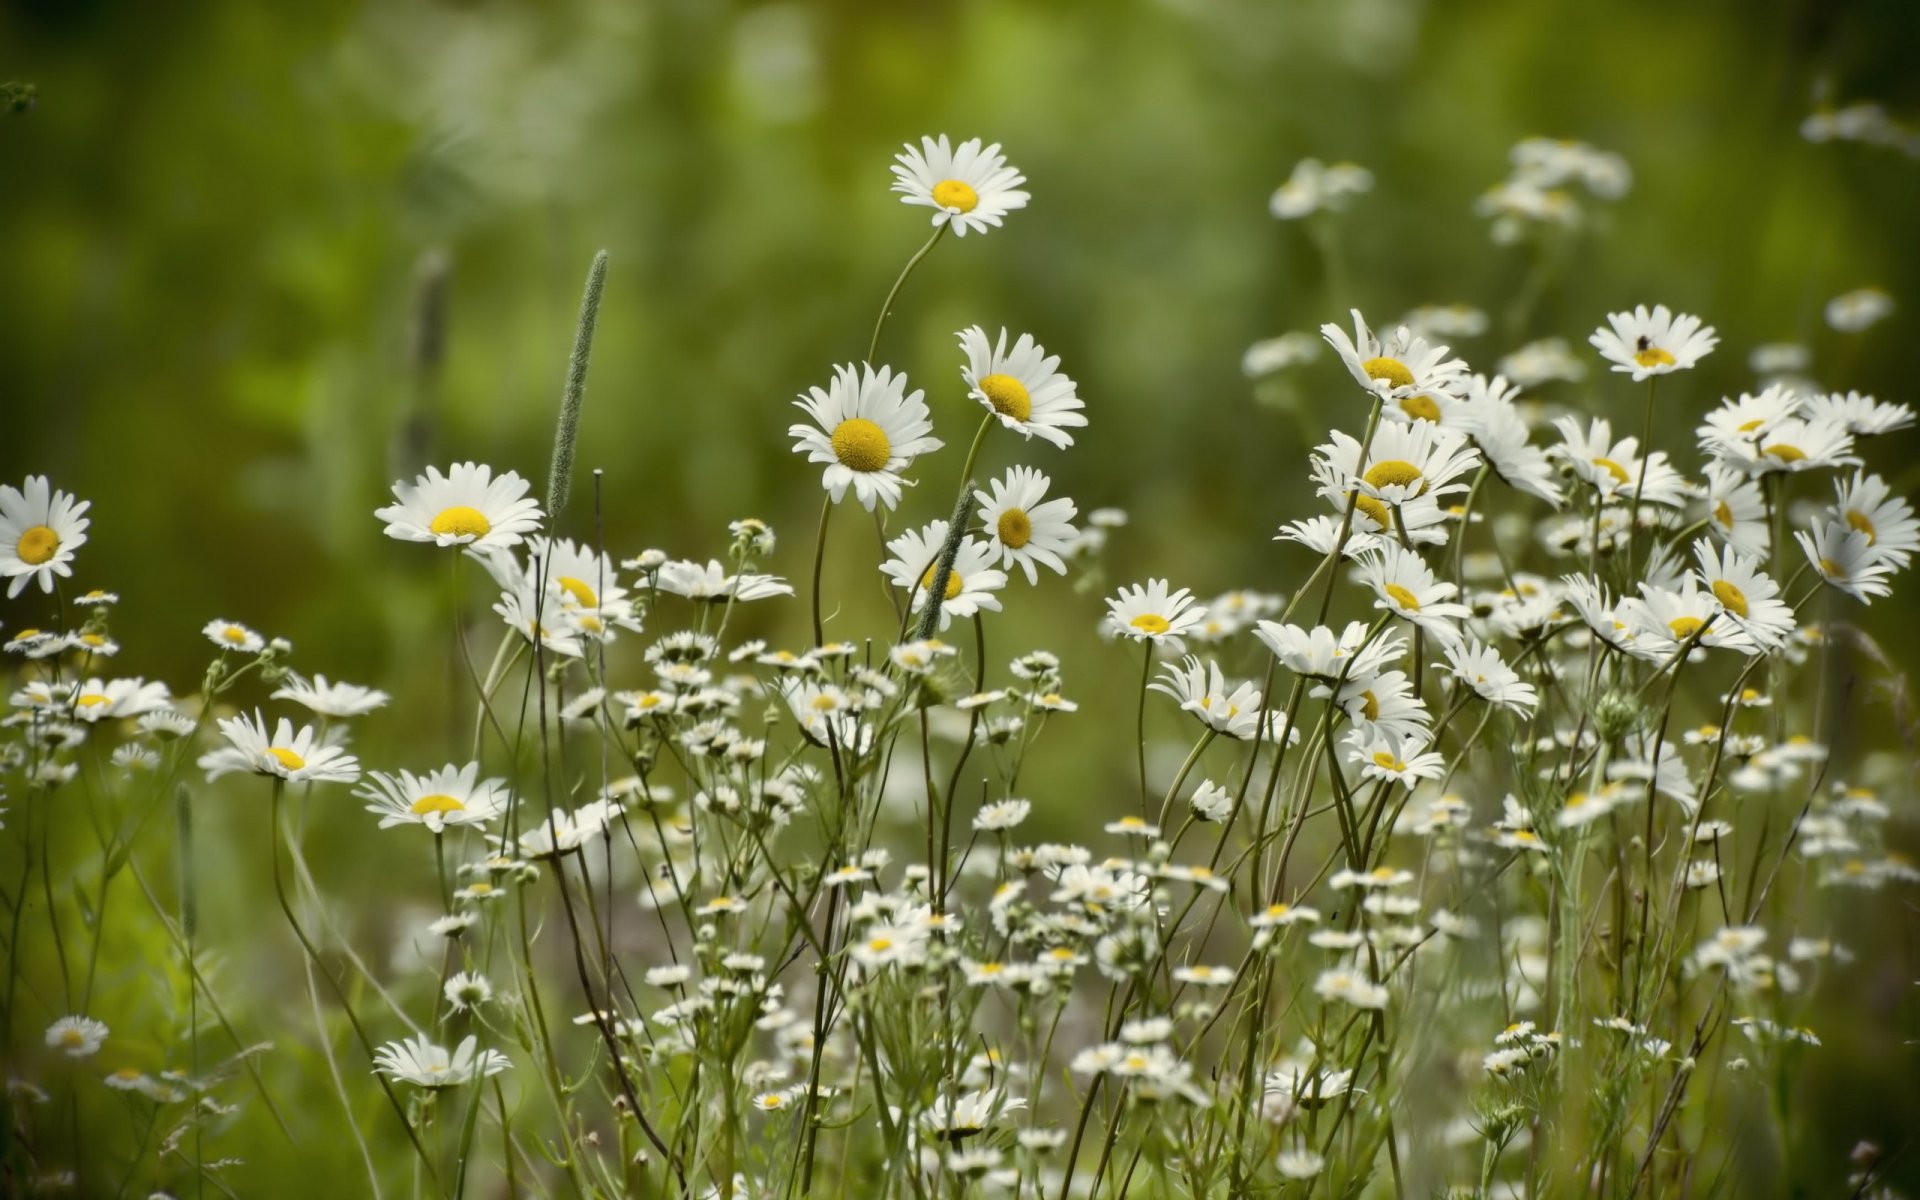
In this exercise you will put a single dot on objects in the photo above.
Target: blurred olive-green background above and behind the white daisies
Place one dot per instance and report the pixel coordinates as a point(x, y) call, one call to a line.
point(258, 260)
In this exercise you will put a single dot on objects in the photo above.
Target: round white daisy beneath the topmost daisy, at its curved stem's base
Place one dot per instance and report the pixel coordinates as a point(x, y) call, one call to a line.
point(867, 429)
